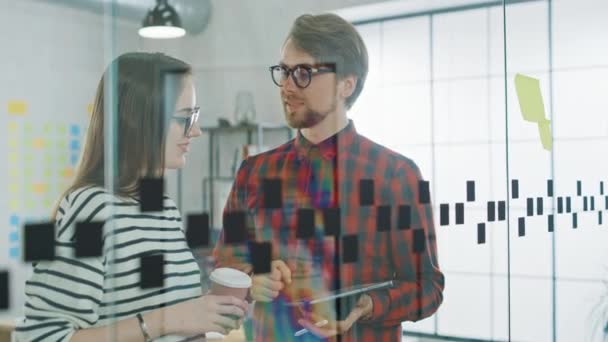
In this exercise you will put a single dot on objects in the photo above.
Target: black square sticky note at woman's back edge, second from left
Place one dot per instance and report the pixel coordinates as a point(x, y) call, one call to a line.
point(39, 242)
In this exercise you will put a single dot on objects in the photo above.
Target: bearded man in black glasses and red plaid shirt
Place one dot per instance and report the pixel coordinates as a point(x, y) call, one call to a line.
point(290, 193)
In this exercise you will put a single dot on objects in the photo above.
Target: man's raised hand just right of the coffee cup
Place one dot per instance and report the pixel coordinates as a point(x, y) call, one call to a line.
point(266, 287)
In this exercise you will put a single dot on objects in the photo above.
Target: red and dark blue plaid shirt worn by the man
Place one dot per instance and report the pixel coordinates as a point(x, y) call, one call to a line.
point(328, 175)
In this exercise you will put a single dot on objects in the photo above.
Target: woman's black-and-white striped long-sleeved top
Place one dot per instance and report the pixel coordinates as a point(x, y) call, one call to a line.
point(68, 294)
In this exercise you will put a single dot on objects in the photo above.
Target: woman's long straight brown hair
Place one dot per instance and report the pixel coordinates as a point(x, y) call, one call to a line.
point(146, 88)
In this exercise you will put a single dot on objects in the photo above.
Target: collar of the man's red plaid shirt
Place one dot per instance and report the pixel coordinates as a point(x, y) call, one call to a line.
point(328, 147)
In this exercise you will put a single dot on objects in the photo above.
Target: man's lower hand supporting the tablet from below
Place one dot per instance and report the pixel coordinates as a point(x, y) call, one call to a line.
point(363, 310)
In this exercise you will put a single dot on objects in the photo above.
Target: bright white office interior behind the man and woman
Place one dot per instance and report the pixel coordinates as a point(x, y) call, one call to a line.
point(441, 90)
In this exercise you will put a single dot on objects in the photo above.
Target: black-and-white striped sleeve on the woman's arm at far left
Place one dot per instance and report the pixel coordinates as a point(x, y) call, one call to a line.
point(64, 295)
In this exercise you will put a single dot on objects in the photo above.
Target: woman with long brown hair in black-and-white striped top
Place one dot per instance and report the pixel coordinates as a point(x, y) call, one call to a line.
point(101, 298)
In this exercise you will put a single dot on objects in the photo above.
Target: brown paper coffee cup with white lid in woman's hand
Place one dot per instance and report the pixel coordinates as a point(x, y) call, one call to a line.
point(230, 282)
